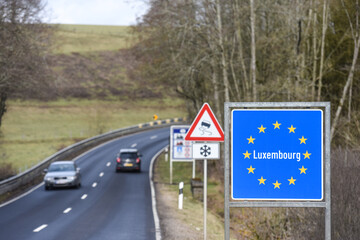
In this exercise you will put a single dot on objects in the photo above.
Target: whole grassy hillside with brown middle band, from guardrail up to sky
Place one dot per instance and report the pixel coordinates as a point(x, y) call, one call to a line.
point(92, 89)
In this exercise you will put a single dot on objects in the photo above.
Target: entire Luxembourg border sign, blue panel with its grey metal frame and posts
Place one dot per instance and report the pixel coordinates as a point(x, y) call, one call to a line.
point(279, 155)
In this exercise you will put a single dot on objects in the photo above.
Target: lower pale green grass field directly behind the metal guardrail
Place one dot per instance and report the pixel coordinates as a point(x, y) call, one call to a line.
point(34, 130)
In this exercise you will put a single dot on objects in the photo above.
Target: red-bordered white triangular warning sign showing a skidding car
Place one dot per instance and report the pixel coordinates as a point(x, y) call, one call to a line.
point(205, 127)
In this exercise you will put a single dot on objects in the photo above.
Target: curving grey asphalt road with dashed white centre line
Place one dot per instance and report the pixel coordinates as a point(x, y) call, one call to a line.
point(109, 205)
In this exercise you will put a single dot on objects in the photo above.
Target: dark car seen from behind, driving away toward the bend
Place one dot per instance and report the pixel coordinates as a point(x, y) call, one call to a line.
point(128, 159)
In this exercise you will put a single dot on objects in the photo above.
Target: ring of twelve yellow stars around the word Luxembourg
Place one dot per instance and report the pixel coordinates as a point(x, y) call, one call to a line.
point(277, 183)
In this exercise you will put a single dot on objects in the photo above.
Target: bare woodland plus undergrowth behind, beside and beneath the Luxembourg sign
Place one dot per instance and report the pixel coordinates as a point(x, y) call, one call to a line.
point(220, 51)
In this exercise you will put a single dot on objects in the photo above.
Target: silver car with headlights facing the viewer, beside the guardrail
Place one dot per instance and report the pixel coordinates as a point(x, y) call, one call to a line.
point(62, 174)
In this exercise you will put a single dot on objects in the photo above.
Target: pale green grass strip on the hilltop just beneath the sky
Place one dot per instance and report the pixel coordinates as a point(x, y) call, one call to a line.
point(91, 38)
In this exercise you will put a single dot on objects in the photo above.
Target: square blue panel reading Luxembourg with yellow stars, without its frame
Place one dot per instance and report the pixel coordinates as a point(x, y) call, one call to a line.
point(277, 154)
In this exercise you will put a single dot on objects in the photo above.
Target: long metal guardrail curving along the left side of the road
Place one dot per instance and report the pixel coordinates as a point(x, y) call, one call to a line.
point(28, 176)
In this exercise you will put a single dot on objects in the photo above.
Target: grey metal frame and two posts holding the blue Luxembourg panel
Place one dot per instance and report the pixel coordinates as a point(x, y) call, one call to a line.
point(327, 166)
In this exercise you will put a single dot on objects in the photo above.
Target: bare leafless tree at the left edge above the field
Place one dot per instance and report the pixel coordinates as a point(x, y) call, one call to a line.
point(22, 43)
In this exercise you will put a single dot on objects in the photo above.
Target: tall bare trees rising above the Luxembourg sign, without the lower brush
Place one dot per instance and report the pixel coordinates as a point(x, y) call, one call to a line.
point(220, 51)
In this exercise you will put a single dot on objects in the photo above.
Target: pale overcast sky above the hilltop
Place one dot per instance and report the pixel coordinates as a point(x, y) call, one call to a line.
point(95, 12)
